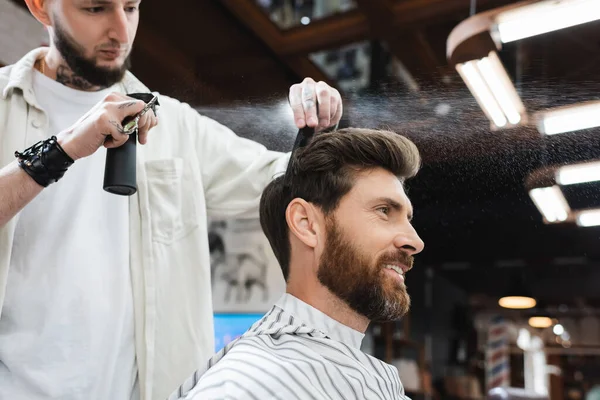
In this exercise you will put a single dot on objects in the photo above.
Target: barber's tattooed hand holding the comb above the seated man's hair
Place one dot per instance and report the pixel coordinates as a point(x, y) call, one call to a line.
point(303, 100)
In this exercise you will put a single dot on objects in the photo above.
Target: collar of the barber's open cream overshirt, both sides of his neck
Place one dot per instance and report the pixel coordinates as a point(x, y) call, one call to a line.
point(21, 77)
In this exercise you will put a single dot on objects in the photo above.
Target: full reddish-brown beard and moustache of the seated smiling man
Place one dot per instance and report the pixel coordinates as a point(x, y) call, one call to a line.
point(363, 286)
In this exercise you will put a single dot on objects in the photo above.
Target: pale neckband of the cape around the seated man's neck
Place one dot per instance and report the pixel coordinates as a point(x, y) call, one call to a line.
point(315, 318)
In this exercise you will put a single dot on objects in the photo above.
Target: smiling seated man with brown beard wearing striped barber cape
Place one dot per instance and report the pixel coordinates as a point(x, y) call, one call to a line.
point(339, 223)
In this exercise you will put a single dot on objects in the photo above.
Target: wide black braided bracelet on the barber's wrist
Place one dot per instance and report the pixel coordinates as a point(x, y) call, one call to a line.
point(46, 161)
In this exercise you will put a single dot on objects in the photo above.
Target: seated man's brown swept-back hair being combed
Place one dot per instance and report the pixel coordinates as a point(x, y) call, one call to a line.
point(325, 170)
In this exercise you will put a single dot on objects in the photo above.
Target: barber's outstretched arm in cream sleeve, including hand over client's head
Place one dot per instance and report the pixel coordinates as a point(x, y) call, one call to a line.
point(235, 170)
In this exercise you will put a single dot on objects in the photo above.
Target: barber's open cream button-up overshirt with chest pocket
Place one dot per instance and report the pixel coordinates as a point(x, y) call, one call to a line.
point(192, 167)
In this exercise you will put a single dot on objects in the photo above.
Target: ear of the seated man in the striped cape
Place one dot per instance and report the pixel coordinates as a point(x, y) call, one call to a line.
point(304, 221)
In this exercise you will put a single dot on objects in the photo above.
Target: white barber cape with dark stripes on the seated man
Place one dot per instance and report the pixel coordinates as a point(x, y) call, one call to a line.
point(294, 352)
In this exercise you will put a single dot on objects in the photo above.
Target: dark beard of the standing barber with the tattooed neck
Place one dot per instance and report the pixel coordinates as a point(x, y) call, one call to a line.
point(85, 68)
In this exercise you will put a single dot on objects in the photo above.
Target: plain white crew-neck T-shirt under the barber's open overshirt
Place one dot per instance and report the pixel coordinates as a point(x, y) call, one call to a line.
point(67, 323)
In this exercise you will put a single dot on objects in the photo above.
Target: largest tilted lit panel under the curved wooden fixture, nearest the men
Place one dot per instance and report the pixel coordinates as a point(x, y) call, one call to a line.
point(492, 88)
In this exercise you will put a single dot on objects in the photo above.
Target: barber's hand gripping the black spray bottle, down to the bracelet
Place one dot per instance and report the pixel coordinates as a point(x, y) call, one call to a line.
point(102, 125)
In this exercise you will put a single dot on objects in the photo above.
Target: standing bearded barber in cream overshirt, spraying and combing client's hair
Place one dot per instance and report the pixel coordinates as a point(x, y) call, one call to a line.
point(105, 296)
